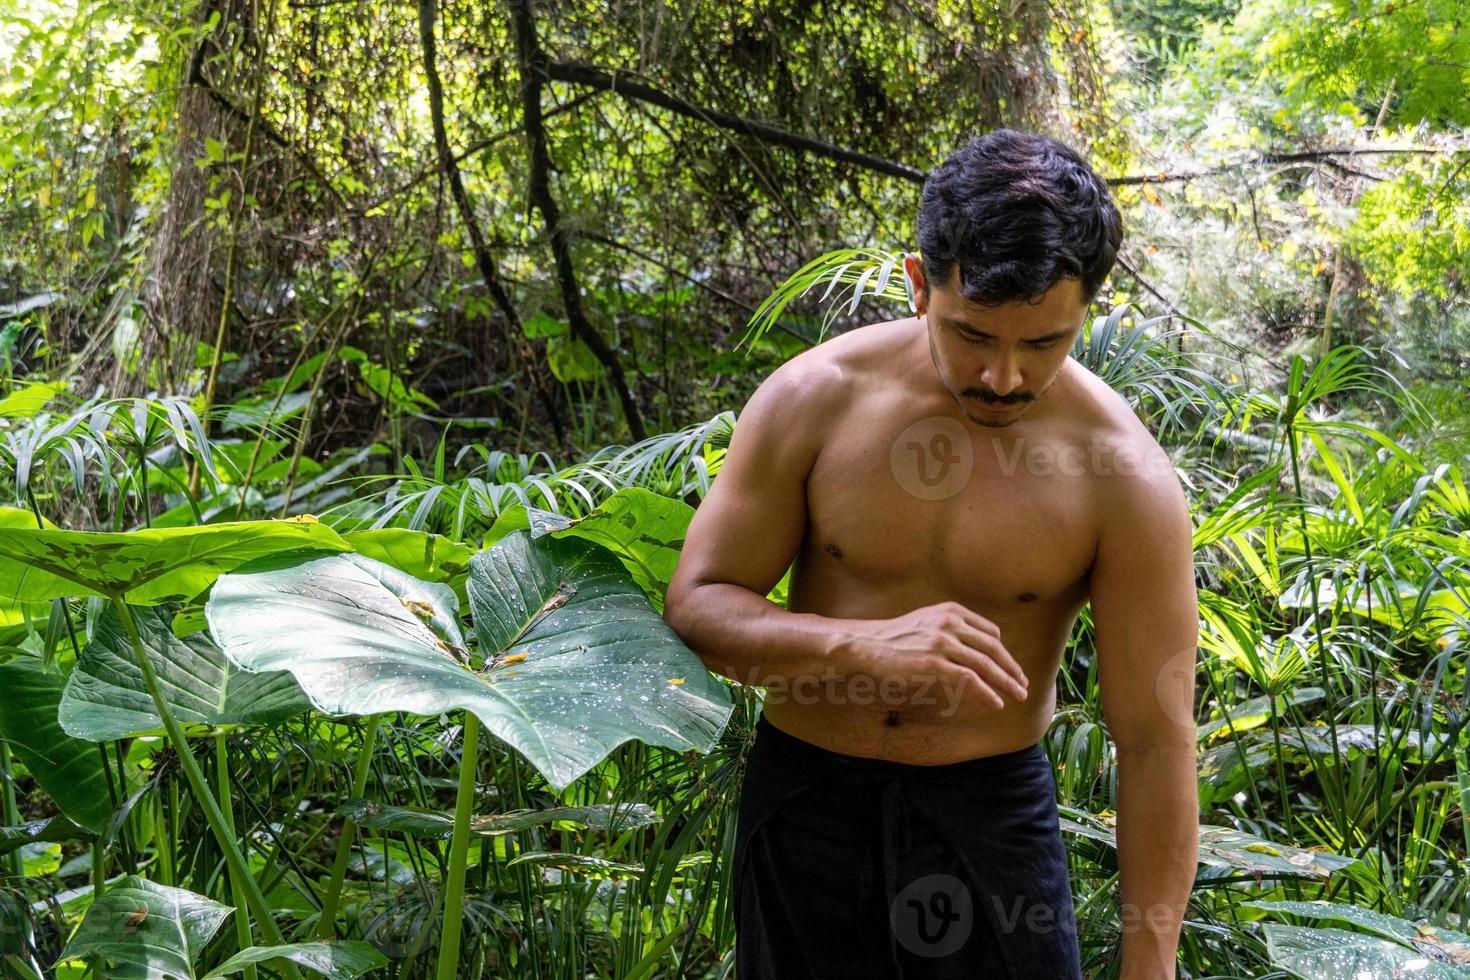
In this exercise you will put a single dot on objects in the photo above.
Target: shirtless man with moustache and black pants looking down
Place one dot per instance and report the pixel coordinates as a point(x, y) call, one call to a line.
point(953, 490)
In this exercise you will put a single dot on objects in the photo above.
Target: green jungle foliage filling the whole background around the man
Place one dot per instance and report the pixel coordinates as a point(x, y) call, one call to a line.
point(371, 375)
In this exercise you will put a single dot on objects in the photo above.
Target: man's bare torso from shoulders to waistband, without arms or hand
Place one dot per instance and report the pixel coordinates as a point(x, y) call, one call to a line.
point(909, 503)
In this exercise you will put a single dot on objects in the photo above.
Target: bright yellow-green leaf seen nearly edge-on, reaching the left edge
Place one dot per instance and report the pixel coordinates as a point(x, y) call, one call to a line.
point(145, 566)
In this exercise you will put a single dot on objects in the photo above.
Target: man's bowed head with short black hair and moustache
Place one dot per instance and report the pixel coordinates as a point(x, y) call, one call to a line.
point(1018, 234)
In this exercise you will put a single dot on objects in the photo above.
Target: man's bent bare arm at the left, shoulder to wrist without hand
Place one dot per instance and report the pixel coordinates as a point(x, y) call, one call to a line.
point(747, 533)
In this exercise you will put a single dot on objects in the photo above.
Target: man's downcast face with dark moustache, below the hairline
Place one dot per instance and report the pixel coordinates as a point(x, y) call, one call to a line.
point(996, 362)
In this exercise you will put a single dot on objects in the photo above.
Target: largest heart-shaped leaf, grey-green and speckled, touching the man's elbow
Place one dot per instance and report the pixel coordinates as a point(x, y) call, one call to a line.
point(600, 666)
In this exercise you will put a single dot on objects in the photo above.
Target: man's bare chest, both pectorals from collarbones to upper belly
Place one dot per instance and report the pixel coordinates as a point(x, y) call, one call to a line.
point(937, 509)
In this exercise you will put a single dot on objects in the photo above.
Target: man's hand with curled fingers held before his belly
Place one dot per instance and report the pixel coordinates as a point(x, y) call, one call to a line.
point(944, 644)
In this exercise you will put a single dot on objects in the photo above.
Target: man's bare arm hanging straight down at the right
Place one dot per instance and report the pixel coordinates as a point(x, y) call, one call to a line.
point(1147, 625)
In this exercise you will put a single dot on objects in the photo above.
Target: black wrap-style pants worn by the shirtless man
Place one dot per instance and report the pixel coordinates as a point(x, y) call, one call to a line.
point(853, 868)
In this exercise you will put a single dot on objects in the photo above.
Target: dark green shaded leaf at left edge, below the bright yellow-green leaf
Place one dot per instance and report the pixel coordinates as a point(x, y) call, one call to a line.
point(70, 771)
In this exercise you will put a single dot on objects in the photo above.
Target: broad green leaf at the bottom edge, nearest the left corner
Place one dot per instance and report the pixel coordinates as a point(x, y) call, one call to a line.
point(148, 931)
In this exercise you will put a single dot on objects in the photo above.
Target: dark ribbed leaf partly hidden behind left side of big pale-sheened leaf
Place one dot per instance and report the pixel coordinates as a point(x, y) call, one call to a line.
point(107, 699)
